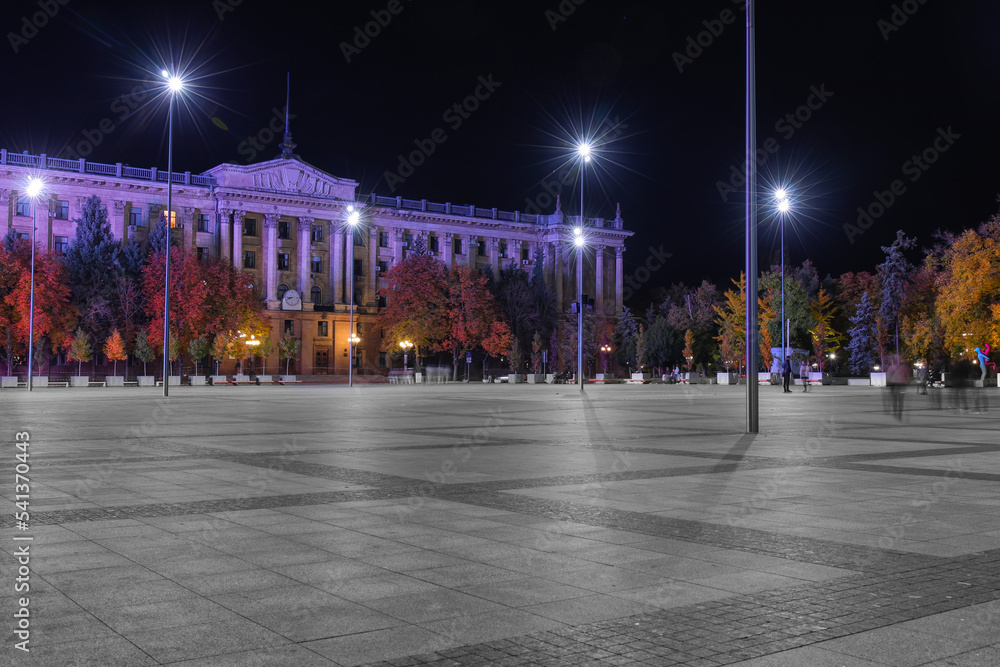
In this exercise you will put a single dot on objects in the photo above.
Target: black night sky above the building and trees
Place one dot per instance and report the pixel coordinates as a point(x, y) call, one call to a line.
point(678, 132)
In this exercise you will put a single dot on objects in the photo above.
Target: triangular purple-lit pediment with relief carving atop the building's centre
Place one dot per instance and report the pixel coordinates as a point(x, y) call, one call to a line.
point(284, 175)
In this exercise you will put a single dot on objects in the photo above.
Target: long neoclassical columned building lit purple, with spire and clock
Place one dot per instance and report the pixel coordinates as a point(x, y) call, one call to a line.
point(284, 222)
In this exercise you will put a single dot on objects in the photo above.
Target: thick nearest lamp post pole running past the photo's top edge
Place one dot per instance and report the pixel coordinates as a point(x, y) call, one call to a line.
point(751, 228)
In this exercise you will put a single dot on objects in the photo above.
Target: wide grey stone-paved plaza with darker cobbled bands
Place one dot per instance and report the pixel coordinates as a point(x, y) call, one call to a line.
point(501, 525)
